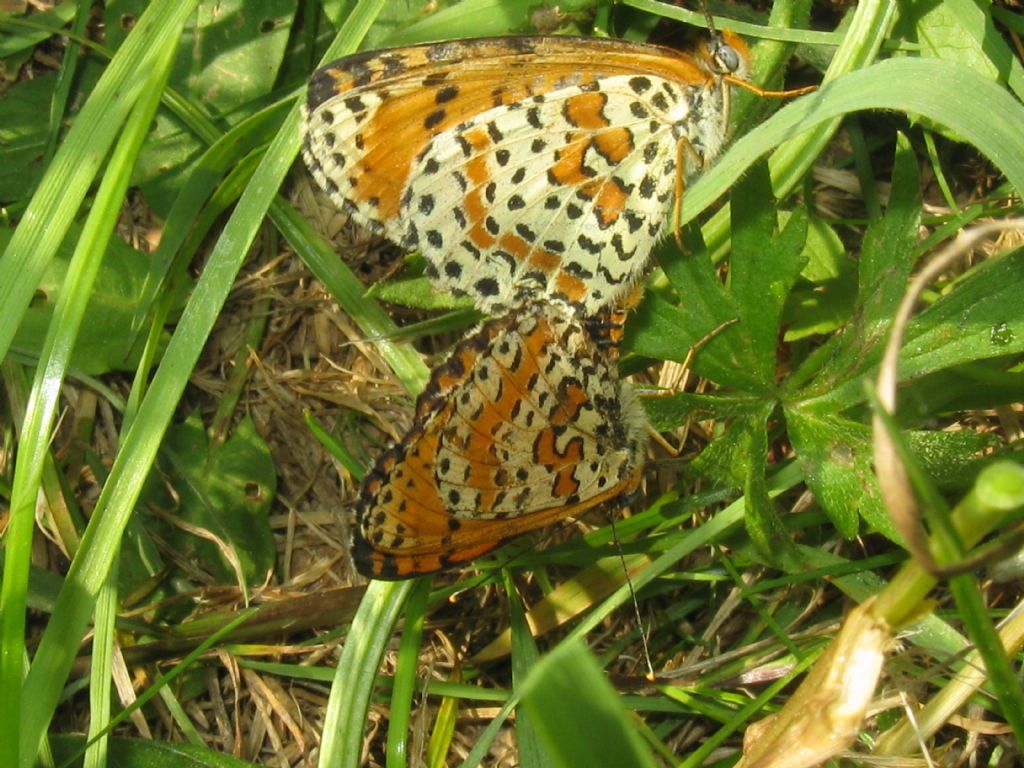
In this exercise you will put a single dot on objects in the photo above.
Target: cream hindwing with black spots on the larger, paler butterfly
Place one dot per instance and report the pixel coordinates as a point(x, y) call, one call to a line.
point(565, 195)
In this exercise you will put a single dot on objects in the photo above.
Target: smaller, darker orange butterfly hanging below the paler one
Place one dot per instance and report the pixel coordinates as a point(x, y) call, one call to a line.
point(526, 423)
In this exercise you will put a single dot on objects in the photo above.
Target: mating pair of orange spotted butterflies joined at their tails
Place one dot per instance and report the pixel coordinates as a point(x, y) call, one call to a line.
point(535, 175)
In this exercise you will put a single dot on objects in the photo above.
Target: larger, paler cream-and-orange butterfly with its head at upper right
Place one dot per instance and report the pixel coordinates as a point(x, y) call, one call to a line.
point(522, 166)
